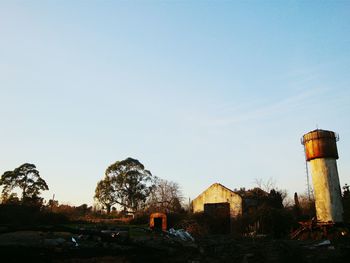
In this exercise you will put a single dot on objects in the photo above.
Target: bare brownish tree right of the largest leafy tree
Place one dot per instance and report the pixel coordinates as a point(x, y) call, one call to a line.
point(165, 196)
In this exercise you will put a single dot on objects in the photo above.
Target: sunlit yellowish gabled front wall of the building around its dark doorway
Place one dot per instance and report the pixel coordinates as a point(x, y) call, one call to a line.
point(217, 193)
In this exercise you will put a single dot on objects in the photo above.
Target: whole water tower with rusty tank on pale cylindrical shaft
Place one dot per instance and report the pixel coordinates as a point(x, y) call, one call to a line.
point(321, 153)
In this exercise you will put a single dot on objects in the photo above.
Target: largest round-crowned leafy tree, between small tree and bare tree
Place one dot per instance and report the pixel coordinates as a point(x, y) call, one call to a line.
point(129, 184)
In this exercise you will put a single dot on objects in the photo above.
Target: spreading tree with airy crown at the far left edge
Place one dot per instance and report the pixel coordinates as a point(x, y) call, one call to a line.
point(27, 178)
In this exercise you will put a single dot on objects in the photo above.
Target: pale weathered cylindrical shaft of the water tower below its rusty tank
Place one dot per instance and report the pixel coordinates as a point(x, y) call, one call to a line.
point(327, 190)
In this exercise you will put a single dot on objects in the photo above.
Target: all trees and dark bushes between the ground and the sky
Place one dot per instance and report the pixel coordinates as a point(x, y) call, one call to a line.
point(130, 186)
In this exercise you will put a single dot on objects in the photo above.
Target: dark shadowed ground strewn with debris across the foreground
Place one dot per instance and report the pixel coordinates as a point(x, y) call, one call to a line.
point(140, 245)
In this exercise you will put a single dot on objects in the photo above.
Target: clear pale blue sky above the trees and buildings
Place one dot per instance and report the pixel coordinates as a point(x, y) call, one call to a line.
point(198, 91)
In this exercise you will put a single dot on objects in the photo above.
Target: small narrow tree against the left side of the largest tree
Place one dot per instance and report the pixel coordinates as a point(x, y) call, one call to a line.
point(105, 193)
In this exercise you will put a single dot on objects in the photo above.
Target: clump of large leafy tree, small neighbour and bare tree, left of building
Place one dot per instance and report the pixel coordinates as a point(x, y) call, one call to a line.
point(128, 184)
